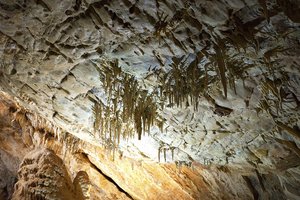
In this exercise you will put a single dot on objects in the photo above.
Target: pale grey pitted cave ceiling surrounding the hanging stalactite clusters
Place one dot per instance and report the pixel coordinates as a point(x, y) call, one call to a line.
point(52, 53)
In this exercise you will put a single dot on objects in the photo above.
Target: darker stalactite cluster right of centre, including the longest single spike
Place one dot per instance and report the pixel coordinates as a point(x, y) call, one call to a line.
point(187, 80)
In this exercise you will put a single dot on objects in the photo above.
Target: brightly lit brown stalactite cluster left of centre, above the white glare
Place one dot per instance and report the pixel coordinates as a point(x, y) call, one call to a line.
point(128, 110)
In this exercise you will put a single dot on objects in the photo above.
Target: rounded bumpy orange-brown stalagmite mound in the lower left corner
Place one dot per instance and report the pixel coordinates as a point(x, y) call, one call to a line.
point(42, 175)
